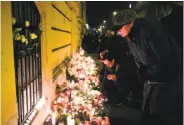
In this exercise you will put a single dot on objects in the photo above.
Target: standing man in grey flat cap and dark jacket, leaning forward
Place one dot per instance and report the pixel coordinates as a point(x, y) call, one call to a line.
point(158, 58)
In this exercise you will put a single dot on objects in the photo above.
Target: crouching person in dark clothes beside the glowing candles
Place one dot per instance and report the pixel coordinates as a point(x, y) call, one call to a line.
point(116, 85)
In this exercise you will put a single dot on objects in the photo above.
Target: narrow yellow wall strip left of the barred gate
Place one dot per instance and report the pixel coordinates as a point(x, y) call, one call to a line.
point(8, 95)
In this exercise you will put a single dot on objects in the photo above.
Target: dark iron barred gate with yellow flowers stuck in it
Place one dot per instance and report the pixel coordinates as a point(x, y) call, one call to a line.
point(27, 57)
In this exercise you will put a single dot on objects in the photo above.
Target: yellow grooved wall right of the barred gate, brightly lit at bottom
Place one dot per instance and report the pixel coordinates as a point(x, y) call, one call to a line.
point(51, 17)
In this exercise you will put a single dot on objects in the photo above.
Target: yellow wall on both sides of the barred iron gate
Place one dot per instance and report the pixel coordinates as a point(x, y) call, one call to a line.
point(52, 40)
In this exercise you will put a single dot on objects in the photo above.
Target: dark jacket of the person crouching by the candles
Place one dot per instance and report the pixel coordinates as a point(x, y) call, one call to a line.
point(118, 91)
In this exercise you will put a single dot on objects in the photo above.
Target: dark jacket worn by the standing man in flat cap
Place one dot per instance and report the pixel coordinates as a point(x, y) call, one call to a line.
point(156, 53)
